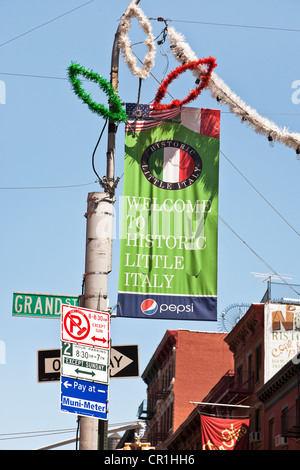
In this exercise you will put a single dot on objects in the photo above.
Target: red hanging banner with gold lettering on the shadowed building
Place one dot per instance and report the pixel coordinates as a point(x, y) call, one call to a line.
point(224, 434)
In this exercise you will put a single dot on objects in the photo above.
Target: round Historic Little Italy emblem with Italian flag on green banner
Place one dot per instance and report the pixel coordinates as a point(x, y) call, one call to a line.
point(171, 164)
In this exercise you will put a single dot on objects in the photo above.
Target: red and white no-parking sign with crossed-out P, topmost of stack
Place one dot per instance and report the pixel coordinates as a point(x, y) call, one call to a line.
point(84, 326)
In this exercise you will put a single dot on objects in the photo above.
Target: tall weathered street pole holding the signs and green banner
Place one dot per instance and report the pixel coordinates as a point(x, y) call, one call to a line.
point(99, 254)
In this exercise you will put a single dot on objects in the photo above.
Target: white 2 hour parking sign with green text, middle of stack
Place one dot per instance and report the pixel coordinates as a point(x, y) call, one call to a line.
point(86, 362)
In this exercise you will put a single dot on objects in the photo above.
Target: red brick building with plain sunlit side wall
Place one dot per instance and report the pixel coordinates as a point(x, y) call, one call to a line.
point(183, 369)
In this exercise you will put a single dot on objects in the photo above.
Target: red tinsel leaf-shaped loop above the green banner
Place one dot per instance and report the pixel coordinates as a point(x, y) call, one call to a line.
point(205, 77)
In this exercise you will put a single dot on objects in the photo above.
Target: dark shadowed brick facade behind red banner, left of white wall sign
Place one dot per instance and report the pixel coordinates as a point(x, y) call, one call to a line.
point(238, 385)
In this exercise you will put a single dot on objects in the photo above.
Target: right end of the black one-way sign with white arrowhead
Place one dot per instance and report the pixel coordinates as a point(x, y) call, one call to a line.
point(124, 361)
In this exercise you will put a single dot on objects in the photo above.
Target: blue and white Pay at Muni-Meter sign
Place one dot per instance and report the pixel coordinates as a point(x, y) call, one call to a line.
point(84, 398)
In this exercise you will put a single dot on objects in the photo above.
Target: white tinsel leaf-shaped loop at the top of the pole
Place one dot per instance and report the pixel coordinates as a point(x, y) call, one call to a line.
point(133, 11)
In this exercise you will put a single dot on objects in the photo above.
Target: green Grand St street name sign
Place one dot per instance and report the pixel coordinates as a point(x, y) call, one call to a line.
point(27, 304)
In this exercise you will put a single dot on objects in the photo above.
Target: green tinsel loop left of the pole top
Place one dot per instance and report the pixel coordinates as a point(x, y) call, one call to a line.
point(117, 113)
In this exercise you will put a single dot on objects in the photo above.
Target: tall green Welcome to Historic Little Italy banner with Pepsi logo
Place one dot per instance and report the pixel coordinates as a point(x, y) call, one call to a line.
point(168, 255)
